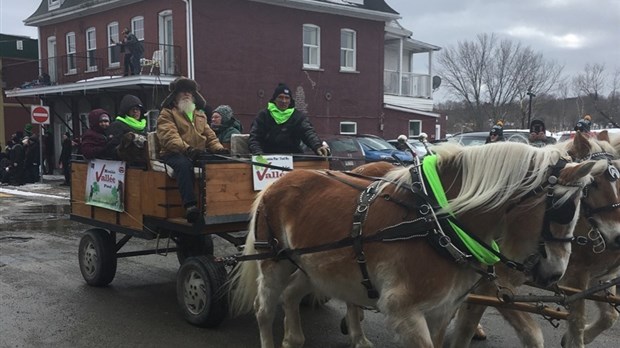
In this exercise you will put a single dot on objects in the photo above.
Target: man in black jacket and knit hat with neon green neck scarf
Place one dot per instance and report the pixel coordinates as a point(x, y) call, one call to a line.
point(280, 128)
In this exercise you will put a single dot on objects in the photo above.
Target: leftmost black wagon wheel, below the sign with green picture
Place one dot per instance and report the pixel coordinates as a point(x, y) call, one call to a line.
point(97, 257)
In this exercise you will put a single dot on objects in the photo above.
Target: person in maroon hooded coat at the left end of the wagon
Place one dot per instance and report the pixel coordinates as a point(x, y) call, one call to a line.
point(94, 142)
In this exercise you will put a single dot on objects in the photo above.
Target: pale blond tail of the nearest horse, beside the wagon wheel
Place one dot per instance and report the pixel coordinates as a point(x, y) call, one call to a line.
point(243, 284)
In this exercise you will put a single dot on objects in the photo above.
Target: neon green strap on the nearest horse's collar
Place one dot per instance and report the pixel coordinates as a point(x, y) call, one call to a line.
point(480, 252)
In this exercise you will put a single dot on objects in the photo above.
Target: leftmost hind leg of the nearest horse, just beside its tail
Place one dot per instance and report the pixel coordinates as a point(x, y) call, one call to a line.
point(272, 280)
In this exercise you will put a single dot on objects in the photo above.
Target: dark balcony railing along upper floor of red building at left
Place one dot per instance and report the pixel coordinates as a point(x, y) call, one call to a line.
point(107, 61)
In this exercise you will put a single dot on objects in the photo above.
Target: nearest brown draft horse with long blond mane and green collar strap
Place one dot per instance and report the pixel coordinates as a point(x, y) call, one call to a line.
point(417, 275)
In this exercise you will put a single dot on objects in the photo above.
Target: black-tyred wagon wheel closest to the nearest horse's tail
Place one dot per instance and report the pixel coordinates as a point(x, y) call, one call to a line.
point(200, 291)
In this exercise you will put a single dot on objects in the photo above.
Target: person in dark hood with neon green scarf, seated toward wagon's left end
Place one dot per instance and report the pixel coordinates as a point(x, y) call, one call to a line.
point(129, 119)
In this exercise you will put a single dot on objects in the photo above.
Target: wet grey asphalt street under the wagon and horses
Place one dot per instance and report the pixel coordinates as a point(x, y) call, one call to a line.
point(45, 302)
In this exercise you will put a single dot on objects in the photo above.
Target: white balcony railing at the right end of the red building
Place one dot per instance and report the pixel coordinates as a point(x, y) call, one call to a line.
point(413, 85)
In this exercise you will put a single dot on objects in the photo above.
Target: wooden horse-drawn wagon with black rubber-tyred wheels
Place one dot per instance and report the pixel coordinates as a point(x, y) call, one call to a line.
point(151, 209)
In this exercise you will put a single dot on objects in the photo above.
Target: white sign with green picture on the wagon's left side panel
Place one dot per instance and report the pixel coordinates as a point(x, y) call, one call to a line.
point(105, 184)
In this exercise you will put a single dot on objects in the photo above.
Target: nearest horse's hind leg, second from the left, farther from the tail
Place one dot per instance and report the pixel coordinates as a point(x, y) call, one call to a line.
point(298, 287)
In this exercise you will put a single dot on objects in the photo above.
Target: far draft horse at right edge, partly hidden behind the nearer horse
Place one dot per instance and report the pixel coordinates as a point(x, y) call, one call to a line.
point(595, 258)
